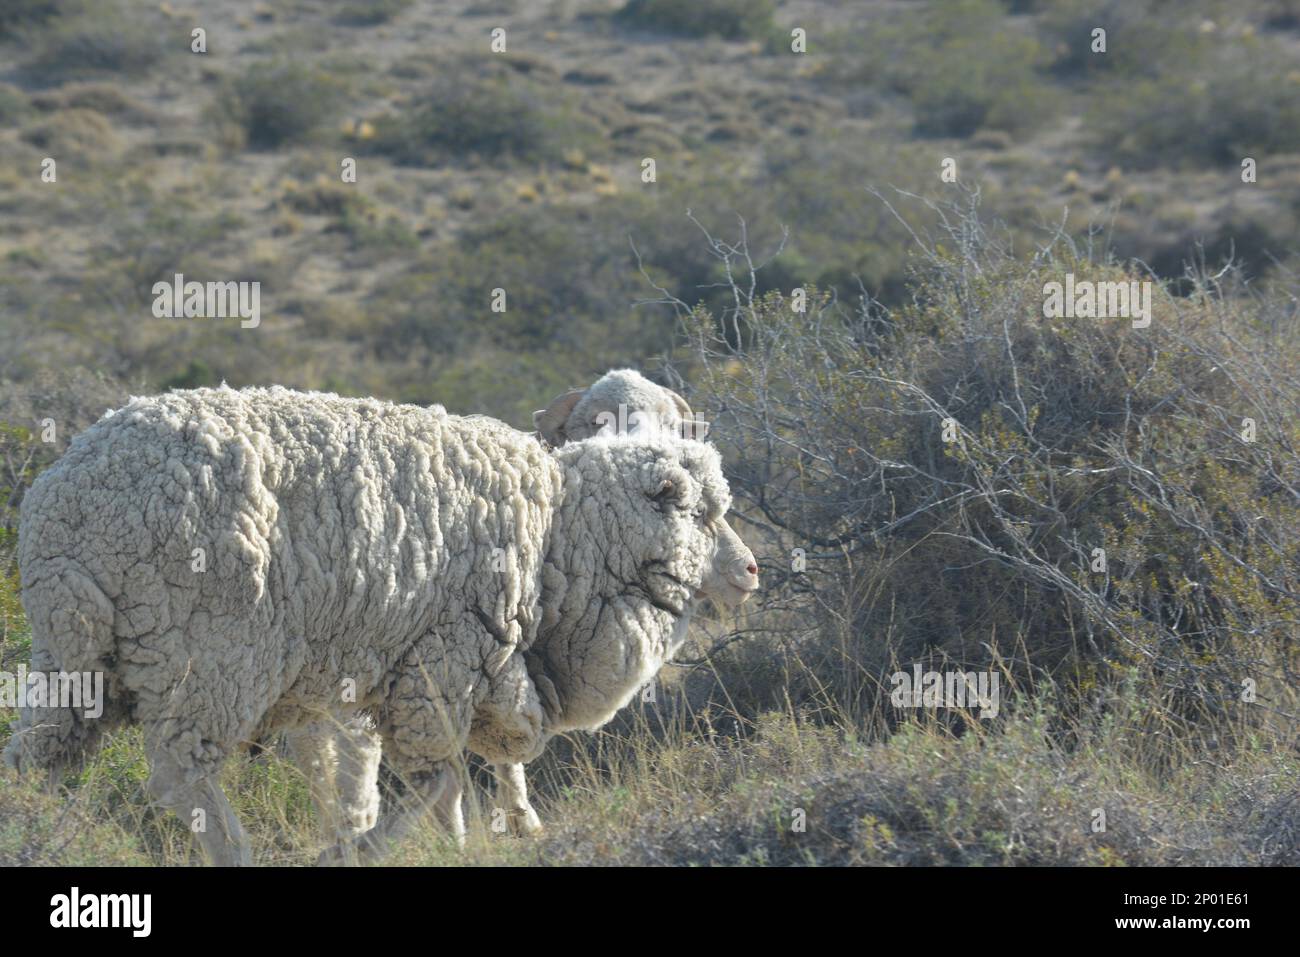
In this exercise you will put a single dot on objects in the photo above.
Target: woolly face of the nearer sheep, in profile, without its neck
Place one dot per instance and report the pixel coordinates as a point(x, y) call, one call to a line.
point(662, 506)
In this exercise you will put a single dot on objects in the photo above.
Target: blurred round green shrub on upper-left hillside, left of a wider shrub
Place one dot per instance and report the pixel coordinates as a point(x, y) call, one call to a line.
point(280, 102)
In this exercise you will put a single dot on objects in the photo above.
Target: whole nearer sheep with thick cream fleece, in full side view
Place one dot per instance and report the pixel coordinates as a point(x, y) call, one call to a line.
point(244, 562)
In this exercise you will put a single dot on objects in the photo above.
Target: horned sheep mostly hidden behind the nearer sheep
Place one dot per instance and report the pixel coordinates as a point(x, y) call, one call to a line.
point(621, 401)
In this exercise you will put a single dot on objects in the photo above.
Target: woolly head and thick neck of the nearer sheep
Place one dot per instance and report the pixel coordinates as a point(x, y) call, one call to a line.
point(639, 540)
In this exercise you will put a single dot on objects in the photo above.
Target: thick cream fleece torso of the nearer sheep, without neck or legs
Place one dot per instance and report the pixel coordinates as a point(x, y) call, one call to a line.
point(287, 542)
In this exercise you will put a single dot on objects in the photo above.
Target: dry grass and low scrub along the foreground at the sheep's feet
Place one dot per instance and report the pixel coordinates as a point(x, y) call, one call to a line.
point(785, 791)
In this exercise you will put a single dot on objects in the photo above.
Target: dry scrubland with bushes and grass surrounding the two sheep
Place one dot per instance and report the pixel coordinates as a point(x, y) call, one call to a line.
point(522, 171)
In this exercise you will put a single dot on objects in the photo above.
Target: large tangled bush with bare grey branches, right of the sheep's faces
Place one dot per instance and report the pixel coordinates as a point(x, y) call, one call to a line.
point(1104, 509)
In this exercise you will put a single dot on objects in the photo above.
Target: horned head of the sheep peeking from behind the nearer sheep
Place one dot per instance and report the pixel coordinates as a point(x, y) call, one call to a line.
point(621, 402)
